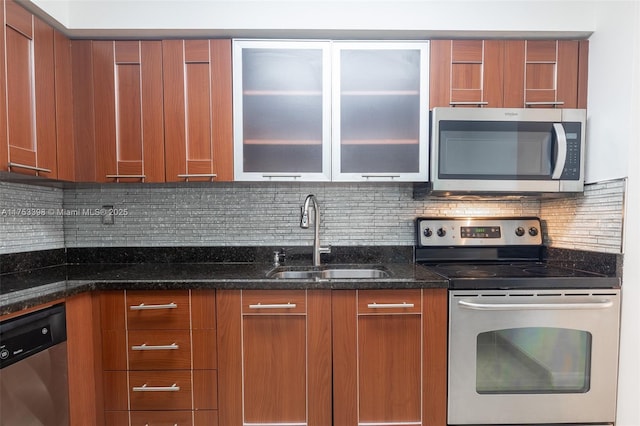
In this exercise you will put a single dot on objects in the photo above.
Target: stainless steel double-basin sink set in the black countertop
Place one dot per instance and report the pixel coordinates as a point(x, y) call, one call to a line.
point(329, 273)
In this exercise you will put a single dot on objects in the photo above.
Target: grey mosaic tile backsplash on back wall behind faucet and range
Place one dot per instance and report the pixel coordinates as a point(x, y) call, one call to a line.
point(259, 214)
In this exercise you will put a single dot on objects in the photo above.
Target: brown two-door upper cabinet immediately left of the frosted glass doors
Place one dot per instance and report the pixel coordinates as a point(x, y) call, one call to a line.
point(153, 111)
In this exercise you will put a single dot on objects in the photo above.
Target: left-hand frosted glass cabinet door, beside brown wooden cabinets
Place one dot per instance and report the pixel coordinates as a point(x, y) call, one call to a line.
point(282, 101)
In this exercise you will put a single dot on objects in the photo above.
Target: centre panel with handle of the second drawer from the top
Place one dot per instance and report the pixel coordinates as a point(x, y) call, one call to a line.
point(159, 350)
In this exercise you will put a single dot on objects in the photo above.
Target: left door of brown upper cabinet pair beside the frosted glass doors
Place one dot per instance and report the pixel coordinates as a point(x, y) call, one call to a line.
point(129, 128)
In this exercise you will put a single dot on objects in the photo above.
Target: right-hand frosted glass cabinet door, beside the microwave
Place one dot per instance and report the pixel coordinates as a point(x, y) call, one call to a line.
point(380, 111)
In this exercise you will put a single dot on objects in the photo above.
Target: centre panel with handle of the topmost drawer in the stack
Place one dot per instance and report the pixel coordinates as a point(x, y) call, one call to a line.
point(157, 310)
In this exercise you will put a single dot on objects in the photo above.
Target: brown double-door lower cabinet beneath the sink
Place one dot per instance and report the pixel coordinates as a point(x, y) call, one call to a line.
point(323, 357)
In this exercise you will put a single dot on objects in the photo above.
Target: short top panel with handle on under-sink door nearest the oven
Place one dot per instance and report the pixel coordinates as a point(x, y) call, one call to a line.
point(380, 302)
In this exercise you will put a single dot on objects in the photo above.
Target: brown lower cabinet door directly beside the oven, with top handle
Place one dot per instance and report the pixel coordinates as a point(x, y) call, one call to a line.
point(389, 359)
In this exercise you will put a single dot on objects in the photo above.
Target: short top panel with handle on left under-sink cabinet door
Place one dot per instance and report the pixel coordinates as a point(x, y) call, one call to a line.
point(271, 302)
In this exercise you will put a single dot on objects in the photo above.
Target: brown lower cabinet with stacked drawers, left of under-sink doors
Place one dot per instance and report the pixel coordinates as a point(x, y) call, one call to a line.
point(159, 357)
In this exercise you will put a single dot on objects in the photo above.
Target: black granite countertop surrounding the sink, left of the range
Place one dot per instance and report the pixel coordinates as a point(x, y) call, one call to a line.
point(30, 288)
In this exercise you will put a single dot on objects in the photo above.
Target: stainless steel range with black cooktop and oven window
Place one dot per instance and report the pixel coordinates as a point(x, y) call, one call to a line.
point(529, 343)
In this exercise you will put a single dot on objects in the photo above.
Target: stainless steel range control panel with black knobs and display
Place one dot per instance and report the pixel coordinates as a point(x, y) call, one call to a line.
point(447, 232)
